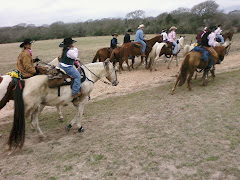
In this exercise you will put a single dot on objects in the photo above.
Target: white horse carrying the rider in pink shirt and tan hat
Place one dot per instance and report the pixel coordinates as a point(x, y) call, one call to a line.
point(156, 52)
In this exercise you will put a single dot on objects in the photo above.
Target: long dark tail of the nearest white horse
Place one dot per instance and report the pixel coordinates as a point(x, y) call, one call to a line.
point(17, 134)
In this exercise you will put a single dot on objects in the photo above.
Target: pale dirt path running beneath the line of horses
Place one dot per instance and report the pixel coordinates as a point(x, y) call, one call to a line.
point(140, 79)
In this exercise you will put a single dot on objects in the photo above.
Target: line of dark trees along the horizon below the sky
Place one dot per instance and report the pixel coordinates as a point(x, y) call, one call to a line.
point(188, 21)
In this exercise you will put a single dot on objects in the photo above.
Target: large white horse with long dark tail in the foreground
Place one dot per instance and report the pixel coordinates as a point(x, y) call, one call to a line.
point(36, 92)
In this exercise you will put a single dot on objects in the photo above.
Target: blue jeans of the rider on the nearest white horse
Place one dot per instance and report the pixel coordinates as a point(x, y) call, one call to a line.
point(71, 71)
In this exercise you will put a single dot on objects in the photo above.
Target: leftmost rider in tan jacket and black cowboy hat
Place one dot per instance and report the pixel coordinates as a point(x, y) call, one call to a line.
point(25, 61)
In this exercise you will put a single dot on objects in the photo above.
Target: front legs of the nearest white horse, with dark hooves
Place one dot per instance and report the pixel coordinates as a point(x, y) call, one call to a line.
point(79, 105)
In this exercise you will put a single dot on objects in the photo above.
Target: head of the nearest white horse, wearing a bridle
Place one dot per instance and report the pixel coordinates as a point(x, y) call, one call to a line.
point(111, 73)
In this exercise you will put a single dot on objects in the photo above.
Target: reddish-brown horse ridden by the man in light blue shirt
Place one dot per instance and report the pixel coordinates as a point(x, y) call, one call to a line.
point(135, 50)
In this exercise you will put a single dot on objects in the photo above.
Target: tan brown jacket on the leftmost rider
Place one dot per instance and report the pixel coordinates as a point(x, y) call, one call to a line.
point(25, 64)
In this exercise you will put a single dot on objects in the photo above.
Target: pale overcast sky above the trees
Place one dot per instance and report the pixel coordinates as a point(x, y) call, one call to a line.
point(39, 12)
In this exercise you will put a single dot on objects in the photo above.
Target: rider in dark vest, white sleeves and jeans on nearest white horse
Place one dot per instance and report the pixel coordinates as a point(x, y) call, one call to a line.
point(69, 55)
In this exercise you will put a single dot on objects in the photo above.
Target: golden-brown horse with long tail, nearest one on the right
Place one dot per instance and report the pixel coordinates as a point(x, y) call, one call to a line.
point(191, 62)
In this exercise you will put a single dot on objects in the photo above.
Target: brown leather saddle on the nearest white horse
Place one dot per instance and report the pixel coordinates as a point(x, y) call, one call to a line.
point(58, 77)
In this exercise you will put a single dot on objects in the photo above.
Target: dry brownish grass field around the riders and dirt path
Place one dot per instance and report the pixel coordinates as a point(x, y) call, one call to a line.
point(148, 135)
